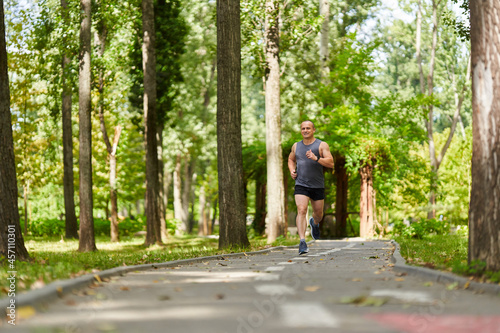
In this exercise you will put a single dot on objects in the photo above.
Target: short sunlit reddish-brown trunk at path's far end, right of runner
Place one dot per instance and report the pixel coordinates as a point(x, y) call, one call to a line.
point(366, 202)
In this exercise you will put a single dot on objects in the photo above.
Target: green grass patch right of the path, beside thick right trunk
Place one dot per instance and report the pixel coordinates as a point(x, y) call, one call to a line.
point(446, 253)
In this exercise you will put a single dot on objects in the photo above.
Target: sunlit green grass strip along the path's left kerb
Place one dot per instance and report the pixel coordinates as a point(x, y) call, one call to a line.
point(53, 260)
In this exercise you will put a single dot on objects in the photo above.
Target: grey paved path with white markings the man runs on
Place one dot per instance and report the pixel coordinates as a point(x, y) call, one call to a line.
point(339, 286)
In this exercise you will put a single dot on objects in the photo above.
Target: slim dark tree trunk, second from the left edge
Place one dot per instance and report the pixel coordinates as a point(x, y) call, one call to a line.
point(67, 129)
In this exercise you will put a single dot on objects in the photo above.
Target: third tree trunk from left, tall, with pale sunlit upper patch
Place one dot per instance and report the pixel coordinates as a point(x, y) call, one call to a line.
point(87, 238)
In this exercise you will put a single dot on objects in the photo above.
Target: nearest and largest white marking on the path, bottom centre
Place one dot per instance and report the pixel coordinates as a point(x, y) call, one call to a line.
point(307, 315)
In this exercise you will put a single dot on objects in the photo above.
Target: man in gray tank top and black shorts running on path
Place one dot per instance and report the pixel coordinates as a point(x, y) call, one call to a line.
point(306, 162)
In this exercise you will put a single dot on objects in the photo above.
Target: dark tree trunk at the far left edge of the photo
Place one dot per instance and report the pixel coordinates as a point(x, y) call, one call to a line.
point(11, 237)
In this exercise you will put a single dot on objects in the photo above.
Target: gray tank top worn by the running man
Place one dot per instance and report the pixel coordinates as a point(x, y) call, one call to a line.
point(309, 172)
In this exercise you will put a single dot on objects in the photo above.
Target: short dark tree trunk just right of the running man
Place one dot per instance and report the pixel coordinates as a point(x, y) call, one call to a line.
point(341, 197)
